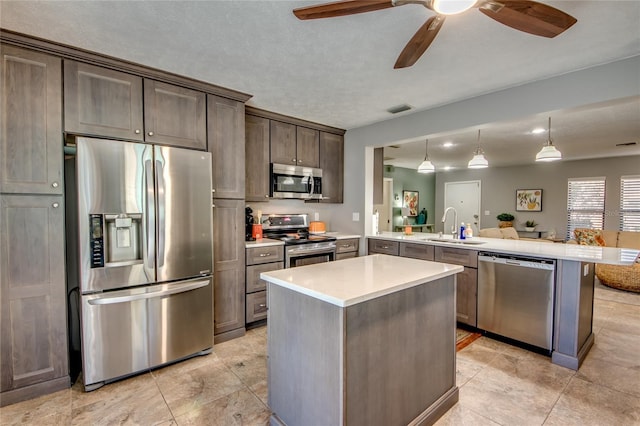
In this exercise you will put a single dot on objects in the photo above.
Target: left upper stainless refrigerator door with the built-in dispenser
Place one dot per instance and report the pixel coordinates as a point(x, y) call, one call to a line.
point(114, 179)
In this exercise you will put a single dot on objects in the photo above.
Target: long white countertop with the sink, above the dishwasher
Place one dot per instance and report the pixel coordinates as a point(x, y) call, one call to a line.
point(609, 255)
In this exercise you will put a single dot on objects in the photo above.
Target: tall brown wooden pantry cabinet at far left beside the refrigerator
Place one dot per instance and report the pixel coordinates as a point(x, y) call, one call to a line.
point(33, 336)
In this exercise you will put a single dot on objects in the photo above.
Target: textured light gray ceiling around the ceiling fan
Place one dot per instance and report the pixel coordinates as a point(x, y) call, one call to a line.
point(338, 71)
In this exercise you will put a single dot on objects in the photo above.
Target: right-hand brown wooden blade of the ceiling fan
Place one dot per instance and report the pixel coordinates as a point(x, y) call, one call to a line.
point(528, 16)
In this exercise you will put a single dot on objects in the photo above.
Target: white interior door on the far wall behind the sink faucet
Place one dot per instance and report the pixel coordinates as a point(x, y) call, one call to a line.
point(465, 198)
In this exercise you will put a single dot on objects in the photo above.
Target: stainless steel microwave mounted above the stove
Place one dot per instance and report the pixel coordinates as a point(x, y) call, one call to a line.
point(295, 182)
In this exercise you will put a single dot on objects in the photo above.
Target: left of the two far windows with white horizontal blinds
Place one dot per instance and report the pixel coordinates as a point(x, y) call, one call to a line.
point(585, 204)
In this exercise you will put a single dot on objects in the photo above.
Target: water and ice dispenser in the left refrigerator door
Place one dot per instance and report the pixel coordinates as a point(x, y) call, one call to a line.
point(115, 239)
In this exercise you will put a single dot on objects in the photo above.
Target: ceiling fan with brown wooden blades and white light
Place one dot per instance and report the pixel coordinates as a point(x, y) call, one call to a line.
point(524, 15)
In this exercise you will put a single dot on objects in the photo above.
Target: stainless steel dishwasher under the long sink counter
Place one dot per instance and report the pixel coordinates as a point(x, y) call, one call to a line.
point(516, 296)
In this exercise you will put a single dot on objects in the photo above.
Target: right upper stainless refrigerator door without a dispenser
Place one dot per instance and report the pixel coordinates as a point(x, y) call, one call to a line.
point(184, 219)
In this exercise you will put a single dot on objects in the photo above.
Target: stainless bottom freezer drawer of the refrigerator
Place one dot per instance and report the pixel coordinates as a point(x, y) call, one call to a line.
point(128, 331)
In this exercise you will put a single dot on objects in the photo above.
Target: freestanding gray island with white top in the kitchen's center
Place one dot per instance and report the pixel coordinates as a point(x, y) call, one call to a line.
point(362, 341)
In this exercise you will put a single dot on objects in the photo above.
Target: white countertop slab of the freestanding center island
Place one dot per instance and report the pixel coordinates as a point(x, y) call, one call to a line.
point(352, 281)
